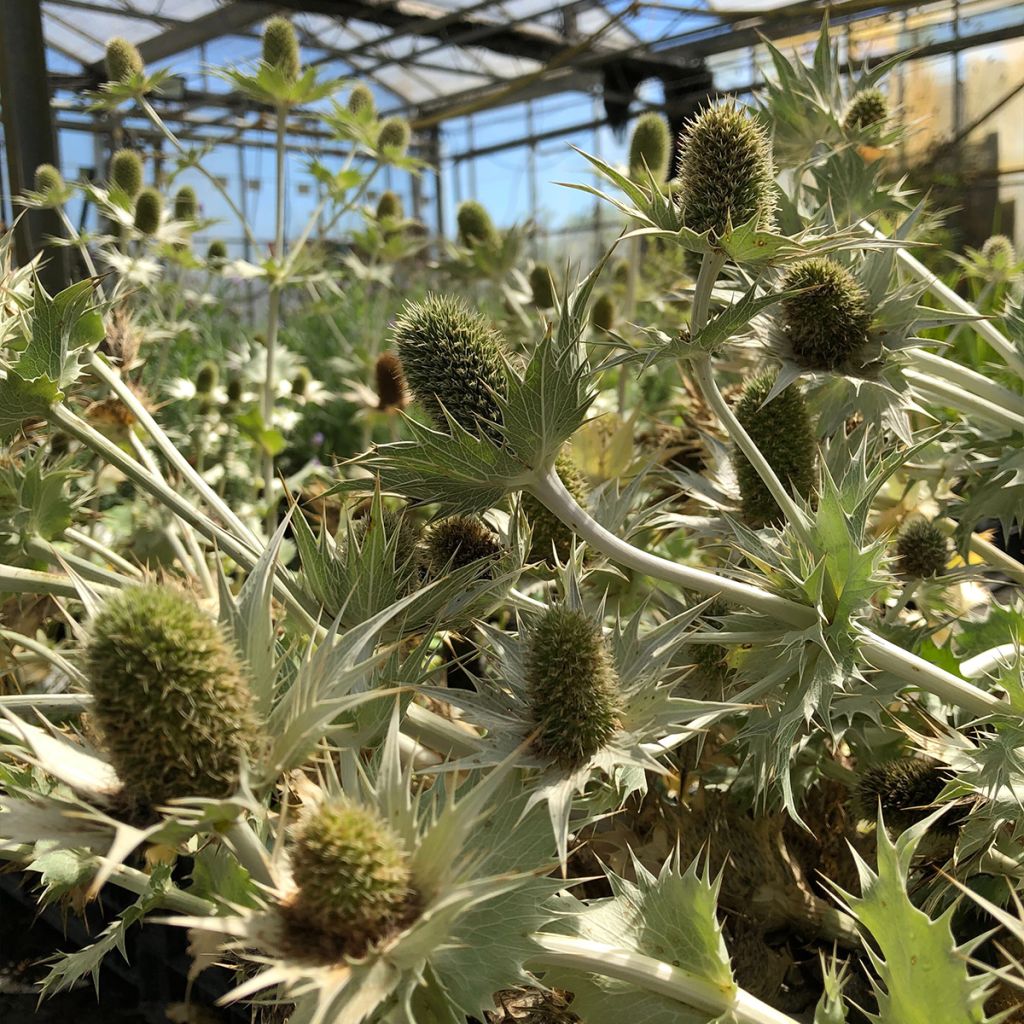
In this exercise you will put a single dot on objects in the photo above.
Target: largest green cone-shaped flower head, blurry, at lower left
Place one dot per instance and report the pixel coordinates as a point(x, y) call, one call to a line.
point(173, 704)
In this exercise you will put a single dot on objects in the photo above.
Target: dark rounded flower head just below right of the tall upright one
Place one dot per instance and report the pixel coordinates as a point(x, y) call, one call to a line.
point(826, 326)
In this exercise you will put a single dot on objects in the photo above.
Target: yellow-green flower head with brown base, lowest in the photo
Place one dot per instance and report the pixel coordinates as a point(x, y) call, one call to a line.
point(353, 875)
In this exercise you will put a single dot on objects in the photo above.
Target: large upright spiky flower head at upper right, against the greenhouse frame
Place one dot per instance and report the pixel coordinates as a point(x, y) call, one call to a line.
point(727, 172)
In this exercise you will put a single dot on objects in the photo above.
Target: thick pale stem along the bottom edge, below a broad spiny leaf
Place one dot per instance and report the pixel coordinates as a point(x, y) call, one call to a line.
point(651, 975)
